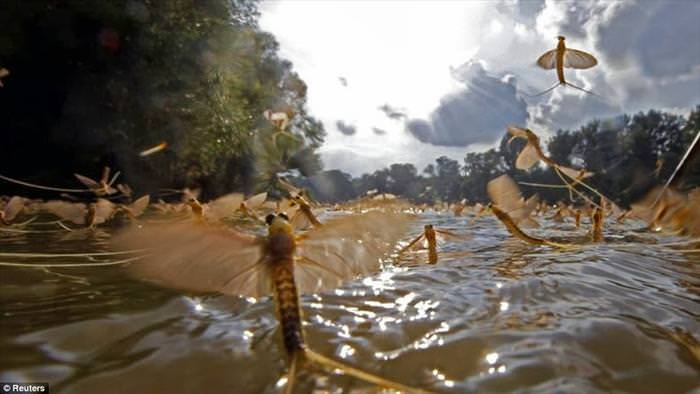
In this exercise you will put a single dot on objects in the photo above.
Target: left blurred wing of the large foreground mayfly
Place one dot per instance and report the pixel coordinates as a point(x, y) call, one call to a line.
point(198, 257)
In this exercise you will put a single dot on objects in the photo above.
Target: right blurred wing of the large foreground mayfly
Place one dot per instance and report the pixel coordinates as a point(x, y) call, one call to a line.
point(347, 248)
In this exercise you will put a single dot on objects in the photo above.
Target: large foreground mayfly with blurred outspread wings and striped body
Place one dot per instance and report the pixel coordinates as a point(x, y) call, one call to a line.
point(200, 257)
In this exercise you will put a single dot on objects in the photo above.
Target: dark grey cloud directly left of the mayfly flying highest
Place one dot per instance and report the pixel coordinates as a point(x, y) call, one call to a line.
point(477, 114)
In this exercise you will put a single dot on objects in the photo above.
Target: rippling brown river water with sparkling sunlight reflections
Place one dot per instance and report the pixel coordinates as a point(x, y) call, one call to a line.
point(493, 315)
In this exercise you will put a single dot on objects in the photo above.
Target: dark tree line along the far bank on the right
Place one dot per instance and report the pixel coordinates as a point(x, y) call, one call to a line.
point(628, 156)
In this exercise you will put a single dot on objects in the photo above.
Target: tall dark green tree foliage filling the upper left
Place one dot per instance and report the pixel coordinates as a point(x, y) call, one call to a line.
point(197, 74)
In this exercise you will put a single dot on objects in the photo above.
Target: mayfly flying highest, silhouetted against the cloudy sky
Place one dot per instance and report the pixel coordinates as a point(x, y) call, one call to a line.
point(565, 57)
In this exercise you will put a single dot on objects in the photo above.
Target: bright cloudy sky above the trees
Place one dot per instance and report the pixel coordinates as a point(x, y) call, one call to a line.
point(409, 81)
